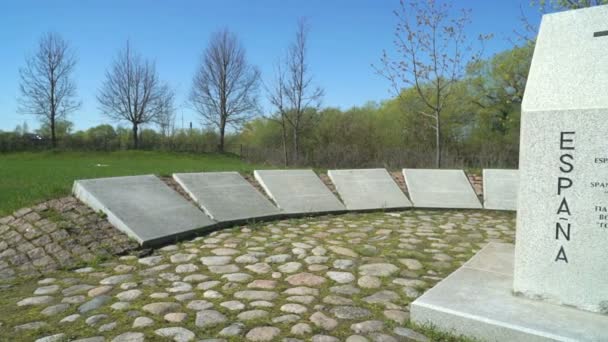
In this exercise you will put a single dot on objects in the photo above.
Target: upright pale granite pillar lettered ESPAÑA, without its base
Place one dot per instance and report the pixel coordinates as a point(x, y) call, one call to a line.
point(561, 249)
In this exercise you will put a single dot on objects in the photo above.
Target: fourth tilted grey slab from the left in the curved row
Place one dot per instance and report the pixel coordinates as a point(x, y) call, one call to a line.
point(368, 189)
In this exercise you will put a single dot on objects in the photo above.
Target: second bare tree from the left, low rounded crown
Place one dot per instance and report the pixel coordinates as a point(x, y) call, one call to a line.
point(133, 92)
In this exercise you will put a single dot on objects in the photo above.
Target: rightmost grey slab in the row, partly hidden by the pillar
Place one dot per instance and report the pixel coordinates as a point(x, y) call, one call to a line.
point(500, 189)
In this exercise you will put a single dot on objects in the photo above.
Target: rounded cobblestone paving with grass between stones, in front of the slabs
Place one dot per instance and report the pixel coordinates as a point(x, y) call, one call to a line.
point(332, 278)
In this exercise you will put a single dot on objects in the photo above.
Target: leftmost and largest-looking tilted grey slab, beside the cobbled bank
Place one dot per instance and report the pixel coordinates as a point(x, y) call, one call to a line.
point(143, 207)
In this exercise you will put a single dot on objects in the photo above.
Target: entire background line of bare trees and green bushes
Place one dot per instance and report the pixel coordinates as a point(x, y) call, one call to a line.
point(448, 107)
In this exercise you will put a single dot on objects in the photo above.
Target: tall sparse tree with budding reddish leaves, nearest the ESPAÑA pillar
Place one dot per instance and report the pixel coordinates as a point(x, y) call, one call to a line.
point(433, 52)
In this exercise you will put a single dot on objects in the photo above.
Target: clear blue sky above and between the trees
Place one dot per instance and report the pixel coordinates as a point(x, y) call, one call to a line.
point(346, 37)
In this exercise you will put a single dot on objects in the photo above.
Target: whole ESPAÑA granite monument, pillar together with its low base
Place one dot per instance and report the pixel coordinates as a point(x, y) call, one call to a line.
point(553, 284)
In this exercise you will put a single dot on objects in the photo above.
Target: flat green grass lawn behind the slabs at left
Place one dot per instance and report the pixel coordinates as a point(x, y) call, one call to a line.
point(31, 177)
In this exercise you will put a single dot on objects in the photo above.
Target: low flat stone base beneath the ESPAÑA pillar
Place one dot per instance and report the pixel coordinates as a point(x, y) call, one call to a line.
point(477, 301)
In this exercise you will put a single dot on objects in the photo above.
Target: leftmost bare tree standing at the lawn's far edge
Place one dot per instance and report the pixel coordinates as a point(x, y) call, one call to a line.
point(46, 87)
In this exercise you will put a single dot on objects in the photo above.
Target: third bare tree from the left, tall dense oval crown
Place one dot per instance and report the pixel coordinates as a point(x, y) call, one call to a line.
point(225, 87)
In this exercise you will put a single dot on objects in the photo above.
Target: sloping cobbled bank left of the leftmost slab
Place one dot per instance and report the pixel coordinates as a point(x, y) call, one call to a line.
point(56, 234)
